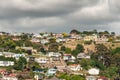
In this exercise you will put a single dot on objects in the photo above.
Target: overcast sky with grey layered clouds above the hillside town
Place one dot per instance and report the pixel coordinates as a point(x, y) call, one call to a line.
point(59, 15)
